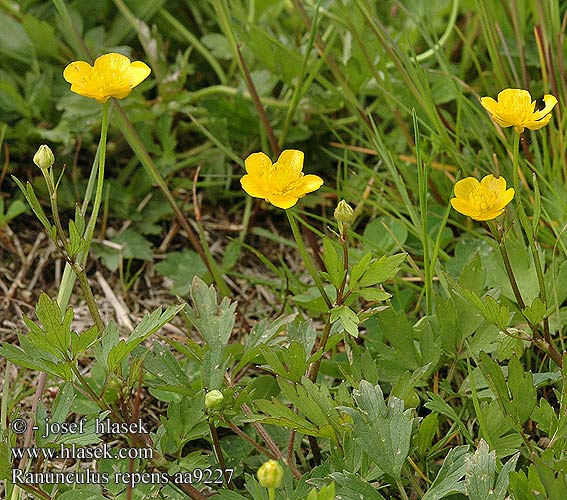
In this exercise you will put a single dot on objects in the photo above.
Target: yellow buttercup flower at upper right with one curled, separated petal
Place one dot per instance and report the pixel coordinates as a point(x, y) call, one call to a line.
point(516, 108)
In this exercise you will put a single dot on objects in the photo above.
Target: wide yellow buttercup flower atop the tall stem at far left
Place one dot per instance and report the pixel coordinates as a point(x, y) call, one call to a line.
point(113, 75)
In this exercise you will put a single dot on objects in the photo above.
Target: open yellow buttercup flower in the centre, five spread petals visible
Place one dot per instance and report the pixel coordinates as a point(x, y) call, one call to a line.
point(281, 183)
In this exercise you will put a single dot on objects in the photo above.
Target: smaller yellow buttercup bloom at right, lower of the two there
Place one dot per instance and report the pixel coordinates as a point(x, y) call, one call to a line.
point(484, 200)
